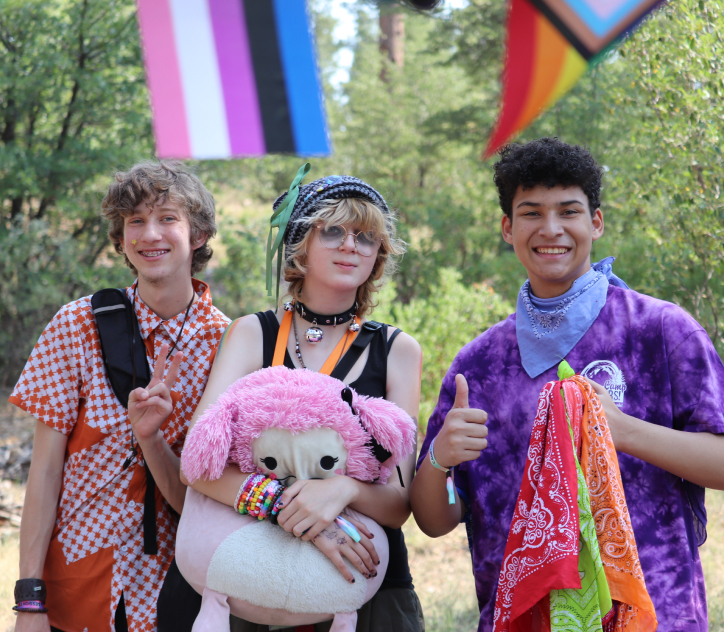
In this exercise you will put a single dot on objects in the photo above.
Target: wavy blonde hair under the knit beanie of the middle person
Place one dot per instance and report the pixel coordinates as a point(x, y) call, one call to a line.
point(364, 216)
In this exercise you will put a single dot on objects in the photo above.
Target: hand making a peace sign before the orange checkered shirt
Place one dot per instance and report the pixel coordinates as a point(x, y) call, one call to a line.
point(149, 407)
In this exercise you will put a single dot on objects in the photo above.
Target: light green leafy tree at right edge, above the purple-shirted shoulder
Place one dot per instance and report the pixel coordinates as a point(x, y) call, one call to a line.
point(670, 172)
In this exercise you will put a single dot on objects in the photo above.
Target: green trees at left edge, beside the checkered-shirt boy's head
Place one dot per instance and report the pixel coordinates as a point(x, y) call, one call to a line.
point(73, 108)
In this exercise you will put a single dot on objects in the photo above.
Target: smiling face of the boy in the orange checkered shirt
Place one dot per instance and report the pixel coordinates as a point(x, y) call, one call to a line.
point(157, 241)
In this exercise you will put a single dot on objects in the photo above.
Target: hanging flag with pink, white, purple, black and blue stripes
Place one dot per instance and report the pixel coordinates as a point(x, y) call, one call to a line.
point(232, 78)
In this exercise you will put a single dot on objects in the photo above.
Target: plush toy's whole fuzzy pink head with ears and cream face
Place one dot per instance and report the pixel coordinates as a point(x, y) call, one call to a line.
point(300, 424)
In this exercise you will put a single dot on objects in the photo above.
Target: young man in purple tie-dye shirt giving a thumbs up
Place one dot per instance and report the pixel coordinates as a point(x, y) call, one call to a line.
point(657, 373)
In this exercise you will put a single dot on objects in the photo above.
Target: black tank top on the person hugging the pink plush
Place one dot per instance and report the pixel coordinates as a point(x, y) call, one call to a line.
point(373, 383)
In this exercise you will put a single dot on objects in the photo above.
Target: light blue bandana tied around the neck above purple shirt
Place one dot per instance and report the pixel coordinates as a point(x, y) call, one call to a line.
point(547, 329)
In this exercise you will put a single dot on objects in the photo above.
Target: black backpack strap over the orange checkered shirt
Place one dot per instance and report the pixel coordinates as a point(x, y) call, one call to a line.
point(124, 359)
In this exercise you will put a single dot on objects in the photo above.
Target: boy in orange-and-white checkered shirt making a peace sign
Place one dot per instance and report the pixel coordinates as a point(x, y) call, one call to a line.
point(82, 529)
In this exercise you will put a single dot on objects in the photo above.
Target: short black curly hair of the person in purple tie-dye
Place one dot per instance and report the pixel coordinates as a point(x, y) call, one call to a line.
point(550, 162)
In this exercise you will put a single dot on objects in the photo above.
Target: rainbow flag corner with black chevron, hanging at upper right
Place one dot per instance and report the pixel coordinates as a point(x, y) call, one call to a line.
point(550, 44)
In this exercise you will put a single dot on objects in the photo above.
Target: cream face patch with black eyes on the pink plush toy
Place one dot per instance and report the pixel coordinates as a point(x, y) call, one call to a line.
point(315, 453)
